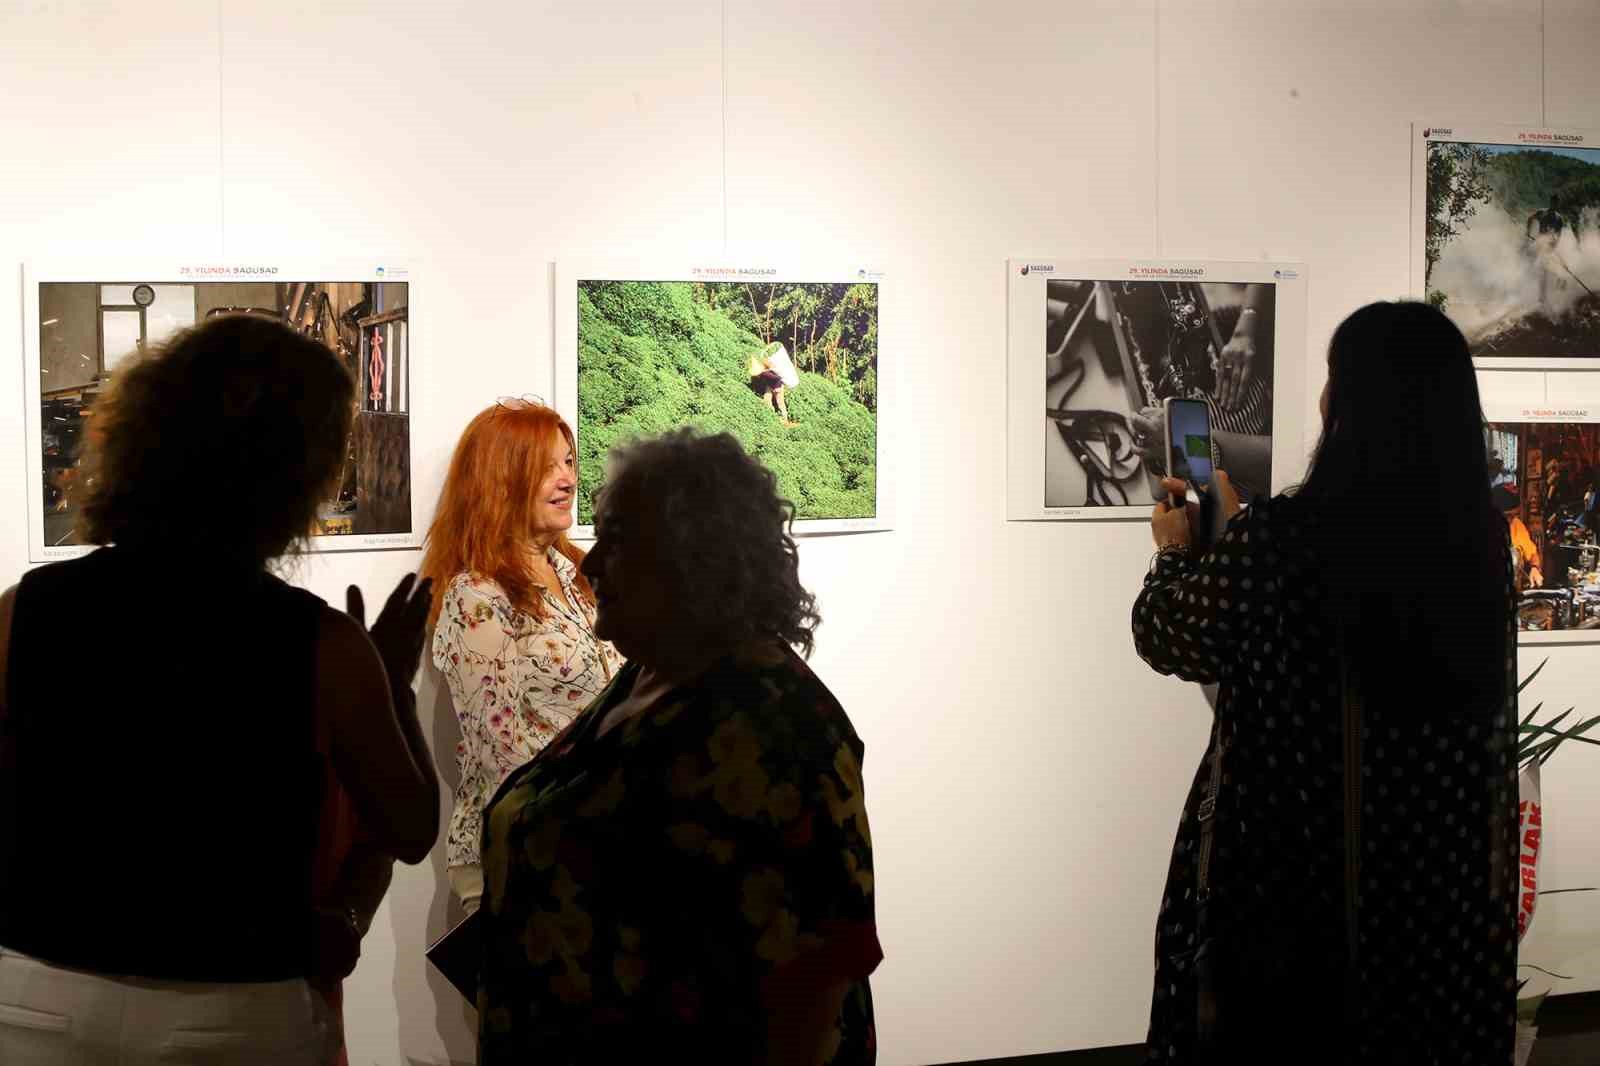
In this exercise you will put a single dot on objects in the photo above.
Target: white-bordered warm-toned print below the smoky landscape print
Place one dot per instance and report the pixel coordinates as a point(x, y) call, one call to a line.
point(1545, 478)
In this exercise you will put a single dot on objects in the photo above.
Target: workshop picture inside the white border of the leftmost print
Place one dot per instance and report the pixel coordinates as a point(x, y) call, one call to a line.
point(89, 329)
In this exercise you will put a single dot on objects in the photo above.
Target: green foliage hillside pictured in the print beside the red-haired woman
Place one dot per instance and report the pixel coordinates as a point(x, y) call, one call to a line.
point(655, 356)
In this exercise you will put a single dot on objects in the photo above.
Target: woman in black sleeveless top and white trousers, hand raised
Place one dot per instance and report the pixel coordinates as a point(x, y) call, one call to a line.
point(177, 724)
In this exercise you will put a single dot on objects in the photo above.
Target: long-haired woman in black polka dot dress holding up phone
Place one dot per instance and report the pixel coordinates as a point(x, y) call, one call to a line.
point(1308, 593)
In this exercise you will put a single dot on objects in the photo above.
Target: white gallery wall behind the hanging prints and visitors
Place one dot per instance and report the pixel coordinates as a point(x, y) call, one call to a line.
point(1025, 771)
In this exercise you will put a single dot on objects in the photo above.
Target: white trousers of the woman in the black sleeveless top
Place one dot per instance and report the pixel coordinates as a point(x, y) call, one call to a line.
point(58, 1017)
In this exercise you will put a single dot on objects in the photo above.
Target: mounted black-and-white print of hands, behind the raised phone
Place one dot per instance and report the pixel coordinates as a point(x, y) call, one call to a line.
point(1097, 355)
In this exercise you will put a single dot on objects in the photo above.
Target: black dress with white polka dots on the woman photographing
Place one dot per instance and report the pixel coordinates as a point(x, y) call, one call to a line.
point(1439, 828)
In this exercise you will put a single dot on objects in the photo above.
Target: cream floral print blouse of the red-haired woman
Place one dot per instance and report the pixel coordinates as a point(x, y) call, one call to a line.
point(516, 683)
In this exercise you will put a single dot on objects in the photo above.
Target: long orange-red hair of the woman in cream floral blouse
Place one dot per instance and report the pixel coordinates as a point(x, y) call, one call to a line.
point(486, 510)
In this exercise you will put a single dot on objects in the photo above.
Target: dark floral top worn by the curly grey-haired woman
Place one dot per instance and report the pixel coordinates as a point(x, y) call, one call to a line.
point(649, 894)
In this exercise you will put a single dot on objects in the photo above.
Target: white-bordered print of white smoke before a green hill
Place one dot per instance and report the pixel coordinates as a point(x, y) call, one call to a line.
point(1506, 239)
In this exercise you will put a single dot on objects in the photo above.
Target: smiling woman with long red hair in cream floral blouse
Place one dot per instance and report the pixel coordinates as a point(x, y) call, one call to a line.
point(514, 617)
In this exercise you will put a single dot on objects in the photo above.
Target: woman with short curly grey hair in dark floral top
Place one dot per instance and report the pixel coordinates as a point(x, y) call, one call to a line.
point(686, 873)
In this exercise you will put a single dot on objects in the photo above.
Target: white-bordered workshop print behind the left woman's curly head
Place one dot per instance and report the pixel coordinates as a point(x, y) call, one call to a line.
point(81, 323)
